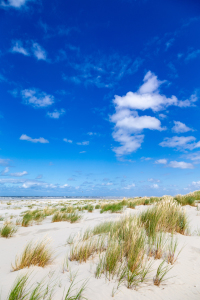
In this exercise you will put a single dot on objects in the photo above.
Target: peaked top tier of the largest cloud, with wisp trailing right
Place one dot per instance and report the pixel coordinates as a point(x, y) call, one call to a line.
point(148, 97)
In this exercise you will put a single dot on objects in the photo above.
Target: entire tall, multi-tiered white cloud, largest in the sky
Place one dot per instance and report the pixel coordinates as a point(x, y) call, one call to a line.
point(129, 125)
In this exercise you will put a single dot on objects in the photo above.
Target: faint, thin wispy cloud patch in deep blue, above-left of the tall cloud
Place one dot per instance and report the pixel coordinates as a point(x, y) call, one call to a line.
point(103, 71)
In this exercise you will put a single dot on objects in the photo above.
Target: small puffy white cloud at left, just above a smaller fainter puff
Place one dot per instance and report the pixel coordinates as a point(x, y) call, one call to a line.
point(36, 98)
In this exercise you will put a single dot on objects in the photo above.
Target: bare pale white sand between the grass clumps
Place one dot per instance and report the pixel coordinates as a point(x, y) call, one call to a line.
point(184, 283)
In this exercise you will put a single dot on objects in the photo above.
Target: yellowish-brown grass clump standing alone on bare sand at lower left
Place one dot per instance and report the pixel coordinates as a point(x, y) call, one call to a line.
point(37, 254)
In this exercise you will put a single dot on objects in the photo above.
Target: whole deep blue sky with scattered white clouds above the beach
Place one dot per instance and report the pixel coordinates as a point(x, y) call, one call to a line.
point(99, 98)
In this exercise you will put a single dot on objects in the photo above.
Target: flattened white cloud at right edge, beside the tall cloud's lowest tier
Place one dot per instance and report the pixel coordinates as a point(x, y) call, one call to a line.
point(180, 142)
